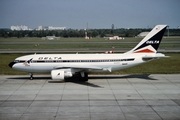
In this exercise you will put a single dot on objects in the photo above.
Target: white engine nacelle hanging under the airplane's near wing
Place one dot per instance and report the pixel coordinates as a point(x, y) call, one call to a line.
point(60, 74)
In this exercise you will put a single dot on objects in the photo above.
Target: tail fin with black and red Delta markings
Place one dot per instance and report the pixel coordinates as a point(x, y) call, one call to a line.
point(151, 42)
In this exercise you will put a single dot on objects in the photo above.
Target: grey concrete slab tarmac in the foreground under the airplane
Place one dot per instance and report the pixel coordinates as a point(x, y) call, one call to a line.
point(103, 97)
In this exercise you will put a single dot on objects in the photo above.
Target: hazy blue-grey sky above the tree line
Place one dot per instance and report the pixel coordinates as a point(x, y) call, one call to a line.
point(98, 14)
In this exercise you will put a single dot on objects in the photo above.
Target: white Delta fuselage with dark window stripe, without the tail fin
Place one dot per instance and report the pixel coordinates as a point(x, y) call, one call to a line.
point(85, 62)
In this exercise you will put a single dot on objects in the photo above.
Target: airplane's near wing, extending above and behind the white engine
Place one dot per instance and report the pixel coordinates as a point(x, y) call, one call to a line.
point(83, 67)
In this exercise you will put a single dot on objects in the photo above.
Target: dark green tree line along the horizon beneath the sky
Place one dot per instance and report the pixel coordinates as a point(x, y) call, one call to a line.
point(80, 33)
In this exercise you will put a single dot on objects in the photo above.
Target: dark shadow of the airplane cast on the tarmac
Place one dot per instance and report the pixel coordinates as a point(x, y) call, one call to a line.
point(77, 81)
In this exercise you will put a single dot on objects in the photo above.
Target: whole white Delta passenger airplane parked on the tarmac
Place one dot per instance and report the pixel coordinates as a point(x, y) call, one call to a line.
point(63, 66)
